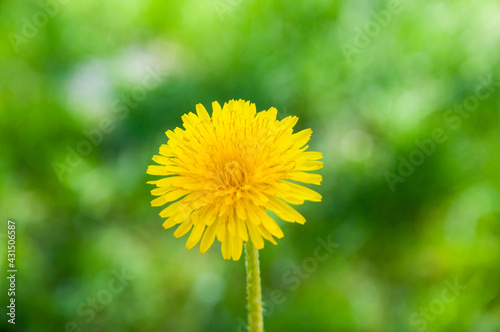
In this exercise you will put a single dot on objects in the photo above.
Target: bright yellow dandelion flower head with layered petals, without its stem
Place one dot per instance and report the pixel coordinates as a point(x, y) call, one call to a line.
point(223, 172)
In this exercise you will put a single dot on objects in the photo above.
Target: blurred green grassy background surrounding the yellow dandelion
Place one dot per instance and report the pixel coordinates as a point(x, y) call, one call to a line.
point(403, 98)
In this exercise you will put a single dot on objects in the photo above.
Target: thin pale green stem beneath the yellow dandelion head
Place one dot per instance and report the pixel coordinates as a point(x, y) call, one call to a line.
point(254, 294)
